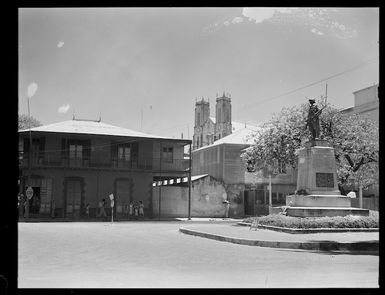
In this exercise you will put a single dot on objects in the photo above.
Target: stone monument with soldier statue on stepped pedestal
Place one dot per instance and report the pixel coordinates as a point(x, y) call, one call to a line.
point(317, 192)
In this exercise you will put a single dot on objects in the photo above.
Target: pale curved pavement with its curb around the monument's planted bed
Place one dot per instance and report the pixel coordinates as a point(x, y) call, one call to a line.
point(231, 232)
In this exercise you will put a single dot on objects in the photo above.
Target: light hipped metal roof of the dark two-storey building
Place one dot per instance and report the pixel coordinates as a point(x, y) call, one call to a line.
point(93, 127)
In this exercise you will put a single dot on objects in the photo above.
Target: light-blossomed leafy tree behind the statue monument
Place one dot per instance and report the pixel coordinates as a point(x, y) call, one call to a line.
point(354, 138)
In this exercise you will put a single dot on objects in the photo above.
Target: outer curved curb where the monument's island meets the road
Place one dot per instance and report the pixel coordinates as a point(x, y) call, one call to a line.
point(320, 246)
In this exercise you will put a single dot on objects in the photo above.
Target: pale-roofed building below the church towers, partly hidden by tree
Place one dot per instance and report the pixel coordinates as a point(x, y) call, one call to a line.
point(247, 192)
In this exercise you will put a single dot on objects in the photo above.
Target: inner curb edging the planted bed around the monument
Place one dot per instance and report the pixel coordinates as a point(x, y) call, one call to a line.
point(310, 230)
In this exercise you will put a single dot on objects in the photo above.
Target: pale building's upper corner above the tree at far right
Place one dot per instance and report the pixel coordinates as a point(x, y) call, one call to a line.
point(366, 103)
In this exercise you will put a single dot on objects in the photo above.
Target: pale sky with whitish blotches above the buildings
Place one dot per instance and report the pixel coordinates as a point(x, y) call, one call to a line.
point(144, 68)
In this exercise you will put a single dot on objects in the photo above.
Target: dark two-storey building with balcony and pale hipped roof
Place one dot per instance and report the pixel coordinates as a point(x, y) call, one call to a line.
point(74, 163)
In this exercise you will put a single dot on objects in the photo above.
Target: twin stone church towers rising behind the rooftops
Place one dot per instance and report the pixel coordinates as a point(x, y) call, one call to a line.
point(206, 129)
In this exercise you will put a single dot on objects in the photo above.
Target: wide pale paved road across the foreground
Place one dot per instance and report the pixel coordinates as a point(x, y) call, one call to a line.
point(156, 254)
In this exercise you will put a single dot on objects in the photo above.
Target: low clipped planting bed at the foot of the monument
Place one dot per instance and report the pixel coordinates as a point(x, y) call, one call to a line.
point(349, 221)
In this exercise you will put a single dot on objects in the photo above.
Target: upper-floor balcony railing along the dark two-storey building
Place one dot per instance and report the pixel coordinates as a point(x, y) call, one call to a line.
point(57, 160)
